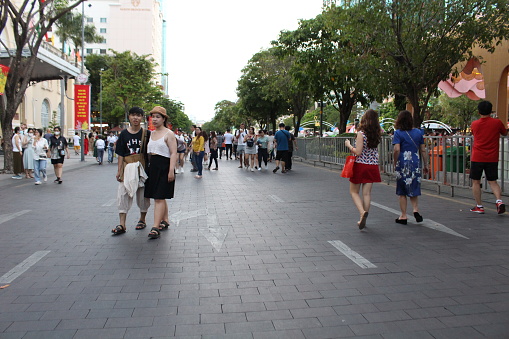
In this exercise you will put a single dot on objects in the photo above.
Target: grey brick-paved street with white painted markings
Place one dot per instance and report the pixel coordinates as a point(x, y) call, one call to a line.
point(248, 255)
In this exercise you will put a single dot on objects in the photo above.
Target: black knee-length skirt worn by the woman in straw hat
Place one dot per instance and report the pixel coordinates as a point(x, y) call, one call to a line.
point(157, 185)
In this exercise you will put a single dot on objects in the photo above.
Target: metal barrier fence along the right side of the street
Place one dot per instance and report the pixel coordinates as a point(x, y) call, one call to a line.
point(449, 157)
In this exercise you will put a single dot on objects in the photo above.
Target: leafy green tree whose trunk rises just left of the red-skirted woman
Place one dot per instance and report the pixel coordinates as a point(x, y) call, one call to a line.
point(332, 64)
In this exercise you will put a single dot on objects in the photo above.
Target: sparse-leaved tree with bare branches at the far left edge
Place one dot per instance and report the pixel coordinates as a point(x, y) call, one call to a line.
point(30, 21)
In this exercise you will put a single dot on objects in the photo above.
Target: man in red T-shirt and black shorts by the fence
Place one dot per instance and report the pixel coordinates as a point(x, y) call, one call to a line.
point(484, 158)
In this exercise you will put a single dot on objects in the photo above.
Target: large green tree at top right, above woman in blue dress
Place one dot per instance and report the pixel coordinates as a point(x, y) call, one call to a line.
point(415, 44)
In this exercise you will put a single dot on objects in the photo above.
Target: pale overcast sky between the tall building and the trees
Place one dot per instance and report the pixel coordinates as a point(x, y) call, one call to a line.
point(209, 42)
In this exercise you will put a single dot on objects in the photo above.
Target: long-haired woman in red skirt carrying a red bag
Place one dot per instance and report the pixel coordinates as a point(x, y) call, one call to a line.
point(366, 170)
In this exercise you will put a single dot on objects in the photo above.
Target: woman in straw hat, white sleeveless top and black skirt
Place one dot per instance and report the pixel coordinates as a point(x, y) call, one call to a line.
point(162, 147)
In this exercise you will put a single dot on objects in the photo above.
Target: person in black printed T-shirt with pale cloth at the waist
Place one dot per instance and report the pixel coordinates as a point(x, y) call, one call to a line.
point(131, 149)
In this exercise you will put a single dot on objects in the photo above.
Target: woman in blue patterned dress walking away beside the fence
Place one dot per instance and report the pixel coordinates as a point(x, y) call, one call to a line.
point(408, 145)
